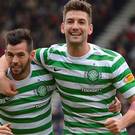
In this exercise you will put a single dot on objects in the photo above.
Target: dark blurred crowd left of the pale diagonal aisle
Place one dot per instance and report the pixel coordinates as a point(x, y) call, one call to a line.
point(43, 17)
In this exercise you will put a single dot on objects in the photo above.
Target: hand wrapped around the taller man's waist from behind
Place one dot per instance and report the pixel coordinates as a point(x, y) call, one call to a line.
point(116, 106)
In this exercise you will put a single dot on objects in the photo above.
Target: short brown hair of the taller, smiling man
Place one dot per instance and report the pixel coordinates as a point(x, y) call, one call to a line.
point(81, 5)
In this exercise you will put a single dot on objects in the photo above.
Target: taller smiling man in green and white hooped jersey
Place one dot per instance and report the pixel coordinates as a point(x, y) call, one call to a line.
point(88, 77)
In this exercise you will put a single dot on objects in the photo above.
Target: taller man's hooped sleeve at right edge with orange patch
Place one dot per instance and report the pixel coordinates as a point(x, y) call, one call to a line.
point(123, 78)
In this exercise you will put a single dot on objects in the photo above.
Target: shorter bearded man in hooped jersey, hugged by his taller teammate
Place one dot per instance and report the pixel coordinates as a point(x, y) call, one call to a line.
point(29, 111)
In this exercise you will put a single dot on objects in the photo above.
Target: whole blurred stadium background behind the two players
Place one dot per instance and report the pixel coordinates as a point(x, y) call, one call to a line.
point(114, 28)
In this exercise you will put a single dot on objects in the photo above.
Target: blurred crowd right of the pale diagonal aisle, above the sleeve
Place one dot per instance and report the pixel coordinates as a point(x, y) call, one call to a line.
point(124, 43)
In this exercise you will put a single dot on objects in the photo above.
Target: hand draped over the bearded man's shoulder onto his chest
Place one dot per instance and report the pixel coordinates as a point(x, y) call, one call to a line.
point(7, 87)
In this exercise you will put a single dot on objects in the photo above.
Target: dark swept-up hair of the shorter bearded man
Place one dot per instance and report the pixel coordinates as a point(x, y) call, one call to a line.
point(19, 35)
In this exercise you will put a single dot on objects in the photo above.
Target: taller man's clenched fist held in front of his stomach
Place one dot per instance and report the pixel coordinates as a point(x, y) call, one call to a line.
point(114, 125)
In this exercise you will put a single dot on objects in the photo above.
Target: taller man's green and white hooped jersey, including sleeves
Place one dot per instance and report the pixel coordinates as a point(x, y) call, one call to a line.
point(87, 86)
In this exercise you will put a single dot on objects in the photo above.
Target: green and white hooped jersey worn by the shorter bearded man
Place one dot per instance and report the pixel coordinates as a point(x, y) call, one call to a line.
point(29, 112)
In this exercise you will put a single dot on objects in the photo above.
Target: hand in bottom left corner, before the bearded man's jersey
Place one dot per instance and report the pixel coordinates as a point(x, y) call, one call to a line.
point(5, 129)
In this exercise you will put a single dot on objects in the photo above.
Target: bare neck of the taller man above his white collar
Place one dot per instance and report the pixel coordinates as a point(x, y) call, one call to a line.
point(78, 50)
